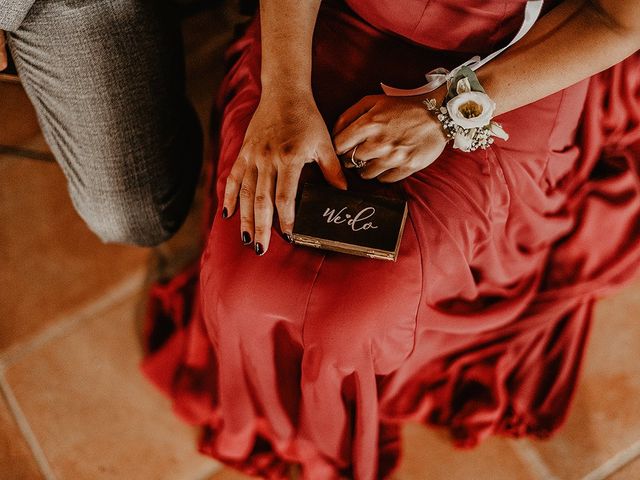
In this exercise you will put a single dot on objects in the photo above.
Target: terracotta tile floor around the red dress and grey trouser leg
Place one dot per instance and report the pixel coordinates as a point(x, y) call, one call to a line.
point(74, 405)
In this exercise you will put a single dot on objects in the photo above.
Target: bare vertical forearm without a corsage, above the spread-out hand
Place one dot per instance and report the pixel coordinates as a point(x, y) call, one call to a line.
point(286, 32)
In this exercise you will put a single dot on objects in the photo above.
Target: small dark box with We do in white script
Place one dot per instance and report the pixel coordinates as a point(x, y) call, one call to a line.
point(357, 223)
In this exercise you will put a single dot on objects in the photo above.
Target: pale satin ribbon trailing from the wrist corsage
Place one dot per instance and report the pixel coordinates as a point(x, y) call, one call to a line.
point(439, 76)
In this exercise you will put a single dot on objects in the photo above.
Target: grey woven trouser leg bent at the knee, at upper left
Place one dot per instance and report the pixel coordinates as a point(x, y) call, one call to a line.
point(107, 80)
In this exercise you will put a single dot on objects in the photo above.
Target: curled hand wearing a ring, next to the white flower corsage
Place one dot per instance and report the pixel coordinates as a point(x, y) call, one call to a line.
point(395, 136)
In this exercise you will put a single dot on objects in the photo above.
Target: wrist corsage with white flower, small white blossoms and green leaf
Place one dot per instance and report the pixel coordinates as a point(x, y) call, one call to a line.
point(466, 113)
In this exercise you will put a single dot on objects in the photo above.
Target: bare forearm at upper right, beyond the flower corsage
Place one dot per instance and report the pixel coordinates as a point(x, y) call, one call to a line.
point(576, 40)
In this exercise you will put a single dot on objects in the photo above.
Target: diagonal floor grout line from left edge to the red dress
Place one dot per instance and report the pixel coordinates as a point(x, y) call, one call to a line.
point(67, 322)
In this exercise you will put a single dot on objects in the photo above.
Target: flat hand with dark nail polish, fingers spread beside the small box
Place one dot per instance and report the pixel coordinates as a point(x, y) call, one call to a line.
point(286, 132)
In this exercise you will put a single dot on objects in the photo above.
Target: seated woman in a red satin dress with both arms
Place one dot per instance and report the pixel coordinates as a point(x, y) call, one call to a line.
point(310, 357)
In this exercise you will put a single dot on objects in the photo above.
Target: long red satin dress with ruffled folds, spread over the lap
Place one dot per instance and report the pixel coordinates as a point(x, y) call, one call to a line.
point(480, 326)
